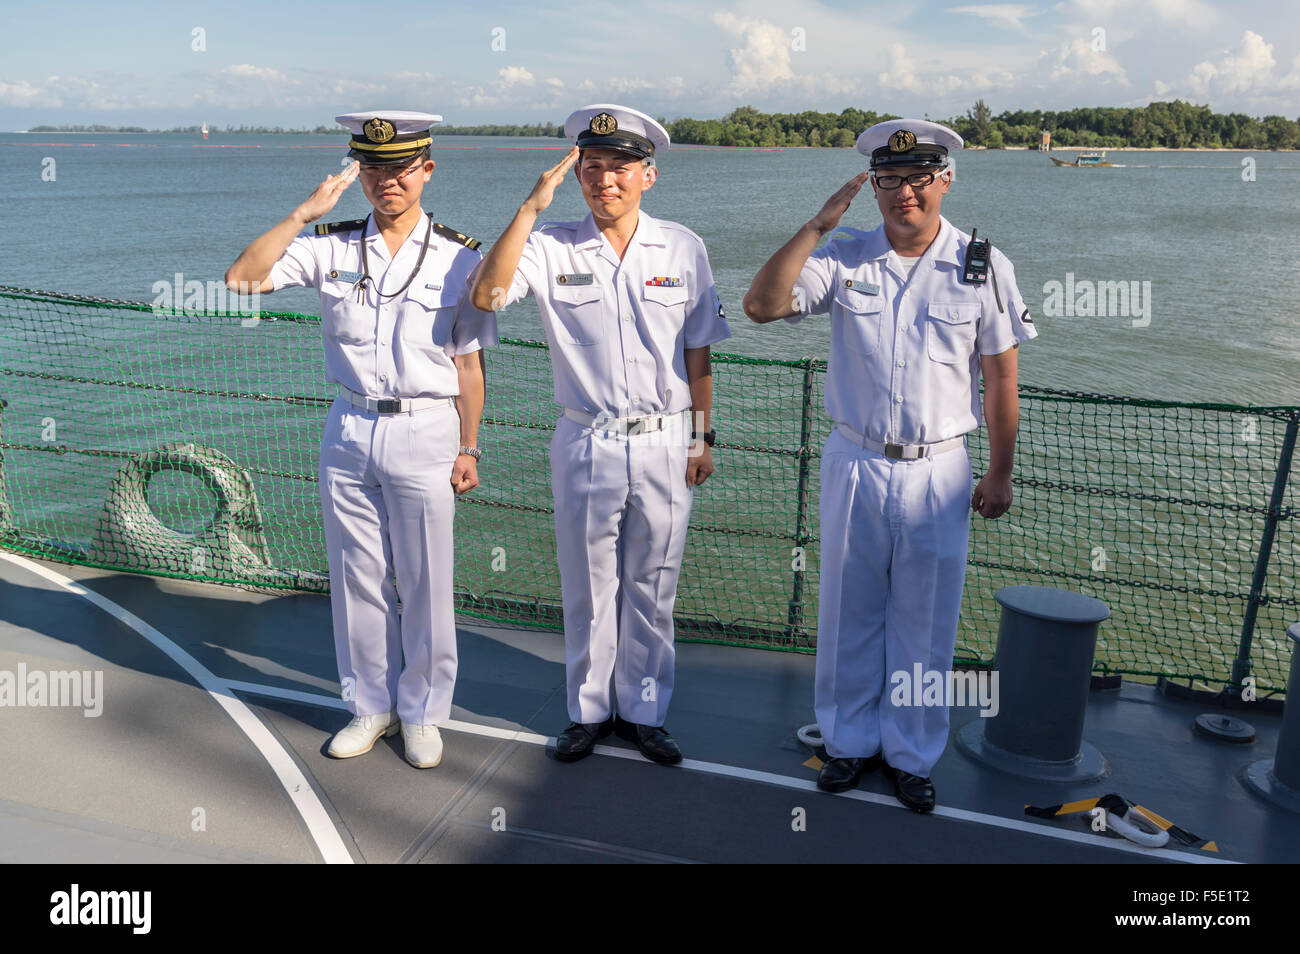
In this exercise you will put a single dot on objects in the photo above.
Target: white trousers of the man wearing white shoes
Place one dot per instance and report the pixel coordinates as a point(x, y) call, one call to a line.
point(387, 497)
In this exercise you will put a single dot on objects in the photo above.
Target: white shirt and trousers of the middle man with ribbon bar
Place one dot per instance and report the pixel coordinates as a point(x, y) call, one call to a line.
point(618, 332)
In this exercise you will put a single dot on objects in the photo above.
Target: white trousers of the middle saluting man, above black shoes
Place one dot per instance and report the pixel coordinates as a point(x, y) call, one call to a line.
point(622, 506)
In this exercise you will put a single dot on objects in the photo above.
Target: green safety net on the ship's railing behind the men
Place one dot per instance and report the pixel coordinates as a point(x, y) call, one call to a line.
point(187, 445)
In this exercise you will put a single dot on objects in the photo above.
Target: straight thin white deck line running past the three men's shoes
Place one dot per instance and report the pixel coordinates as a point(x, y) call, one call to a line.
point(772, 779)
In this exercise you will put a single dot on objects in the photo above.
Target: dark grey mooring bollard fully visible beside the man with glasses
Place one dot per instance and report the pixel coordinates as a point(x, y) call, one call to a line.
point(1046, 645)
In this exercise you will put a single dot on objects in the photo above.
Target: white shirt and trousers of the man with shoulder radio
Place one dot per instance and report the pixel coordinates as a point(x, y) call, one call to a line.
point(904, 368)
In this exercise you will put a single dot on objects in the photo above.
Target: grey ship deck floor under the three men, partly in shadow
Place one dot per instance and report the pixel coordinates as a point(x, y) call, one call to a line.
point(125, 786)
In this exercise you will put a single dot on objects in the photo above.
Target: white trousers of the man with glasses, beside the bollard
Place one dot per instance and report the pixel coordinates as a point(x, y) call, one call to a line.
point(892, 567)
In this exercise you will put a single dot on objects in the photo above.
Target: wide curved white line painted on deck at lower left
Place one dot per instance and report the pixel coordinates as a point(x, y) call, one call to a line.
point(296, 784)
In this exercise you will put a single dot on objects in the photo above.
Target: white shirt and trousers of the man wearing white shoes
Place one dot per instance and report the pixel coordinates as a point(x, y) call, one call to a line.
point(385, 479)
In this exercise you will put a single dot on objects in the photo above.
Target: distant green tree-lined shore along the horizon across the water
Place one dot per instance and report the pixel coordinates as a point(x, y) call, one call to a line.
point(1173, 125)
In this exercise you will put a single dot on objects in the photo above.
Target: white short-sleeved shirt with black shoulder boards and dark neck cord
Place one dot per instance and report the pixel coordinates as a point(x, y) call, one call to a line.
point(392, 348)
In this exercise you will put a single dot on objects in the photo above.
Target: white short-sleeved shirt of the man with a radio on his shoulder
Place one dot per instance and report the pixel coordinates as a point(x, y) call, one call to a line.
point(904, 365)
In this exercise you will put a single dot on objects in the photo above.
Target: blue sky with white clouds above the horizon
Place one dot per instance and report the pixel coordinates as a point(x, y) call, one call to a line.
point(300, 64)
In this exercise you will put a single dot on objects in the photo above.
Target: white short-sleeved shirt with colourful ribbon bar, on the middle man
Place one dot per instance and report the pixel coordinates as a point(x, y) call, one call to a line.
point(618, 329)
